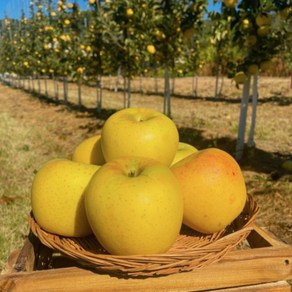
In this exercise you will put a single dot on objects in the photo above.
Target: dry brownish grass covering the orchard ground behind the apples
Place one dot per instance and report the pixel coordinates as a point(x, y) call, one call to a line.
point(33, 131)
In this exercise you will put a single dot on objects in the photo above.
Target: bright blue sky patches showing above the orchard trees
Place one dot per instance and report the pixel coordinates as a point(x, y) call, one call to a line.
point(12, 8)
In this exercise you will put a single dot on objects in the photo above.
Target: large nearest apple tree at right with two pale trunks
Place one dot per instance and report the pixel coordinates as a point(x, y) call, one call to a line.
point(260, 32)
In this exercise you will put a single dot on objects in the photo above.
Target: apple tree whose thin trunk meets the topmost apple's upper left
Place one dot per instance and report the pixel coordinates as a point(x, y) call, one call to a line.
point(126, 39)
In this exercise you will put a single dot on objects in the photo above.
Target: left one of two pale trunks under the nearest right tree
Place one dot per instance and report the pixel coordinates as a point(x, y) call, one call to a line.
point(242, 120)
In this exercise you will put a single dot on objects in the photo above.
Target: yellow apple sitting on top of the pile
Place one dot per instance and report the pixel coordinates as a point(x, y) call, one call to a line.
point(139, 132)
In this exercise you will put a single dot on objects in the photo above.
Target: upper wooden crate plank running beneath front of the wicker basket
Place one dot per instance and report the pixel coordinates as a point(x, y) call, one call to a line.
point(238, 268)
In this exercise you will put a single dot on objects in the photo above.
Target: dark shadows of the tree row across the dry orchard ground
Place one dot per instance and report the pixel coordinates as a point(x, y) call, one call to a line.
point(254, 159)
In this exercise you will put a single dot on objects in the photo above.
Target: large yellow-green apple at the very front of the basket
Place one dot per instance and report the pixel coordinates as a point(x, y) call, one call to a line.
point(134, 206)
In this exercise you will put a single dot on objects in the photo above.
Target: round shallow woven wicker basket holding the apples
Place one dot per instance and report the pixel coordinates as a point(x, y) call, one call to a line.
point(191, 250)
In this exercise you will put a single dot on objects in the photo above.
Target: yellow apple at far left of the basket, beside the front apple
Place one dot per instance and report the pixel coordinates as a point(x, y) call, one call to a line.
point(57, 197)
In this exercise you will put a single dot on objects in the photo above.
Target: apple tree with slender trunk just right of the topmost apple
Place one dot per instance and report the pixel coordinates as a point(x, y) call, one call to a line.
point(174, 22)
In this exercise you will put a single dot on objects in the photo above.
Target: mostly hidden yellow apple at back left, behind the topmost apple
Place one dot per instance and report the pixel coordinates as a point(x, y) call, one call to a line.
point(89, 151)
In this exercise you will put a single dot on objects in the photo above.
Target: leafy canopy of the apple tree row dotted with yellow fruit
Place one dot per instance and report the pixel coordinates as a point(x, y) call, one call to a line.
point(144, 36)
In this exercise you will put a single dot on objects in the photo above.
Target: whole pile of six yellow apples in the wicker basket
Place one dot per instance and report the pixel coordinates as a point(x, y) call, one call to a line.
point(135, 184)
